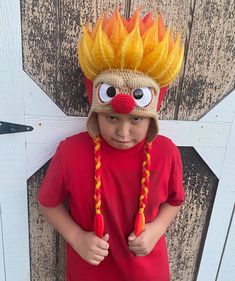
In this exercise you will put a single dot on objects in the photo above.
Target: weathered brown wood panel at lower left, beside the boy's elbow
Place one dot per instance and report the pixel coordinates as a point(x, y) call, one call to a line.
point(43, 238)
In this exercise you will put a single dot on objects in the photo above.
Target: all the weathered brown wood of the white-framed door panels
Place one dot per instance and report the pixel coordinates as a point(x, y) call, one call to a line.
point(50, 30)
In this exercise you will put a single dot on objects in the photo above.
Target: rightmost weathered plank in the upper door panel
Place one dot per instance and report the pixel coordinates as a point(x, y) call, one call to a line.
point(210, 63)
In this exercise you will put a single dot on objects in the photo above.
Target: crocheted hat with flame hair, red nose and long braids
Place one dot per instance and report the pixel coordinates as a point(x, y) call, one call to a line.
point(128, 64)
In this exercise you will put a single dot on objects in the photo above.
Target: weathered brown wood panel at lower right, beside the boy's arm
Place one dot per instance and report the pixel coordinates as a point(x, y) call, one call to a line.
point(186, 235)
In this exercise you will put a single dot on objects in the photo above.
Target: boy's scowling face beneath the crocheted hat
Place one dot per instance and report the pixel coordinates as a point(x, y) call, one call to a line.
point(122, 131)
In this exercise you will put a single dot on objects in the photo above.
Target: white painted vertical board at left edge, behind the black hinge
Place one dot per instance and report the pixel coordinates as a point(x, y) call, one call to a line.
point(14, 245)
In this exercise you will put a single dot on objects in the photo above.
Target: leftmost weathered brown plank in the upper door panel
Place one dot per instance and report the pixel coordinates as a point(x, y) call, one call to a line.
point(40, 41)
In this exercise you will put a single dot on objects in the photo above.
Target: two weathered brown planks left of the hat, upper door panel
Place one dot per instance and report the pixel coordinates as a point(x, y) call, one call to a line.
point(50, 32)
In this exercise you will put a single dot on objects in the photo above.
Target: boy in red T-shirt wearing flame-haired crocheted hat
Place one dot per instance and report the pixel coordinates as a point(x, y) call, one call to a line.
point(123, 181)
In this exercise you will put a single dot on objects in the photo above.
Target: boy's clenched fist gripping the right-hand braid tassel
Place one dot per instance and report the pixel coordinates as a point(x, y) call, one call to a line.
point(143, 244)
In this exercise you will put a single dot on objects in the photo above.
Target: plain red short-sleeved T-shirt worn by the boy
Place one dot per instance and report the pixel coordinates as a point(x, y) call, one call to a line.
point(71, 174)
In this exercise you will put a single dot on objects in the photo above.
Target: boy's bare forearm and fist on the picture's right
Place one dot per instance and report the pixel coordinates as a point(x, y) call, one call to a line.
point(145, 242)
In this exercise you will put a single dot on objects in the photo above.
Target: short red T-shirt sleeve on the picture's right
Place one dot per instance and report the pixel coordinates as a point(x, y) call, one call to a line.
point(176, 194)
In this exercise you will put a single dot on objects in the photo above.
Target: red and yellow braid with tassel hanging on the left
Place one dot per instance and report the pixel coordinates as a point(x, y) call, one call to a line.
point(98, 219)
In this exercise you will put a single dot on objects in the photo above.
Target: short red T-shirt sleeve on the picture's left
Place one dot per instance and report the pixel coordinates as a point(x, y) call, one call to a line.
point(53, 191)
